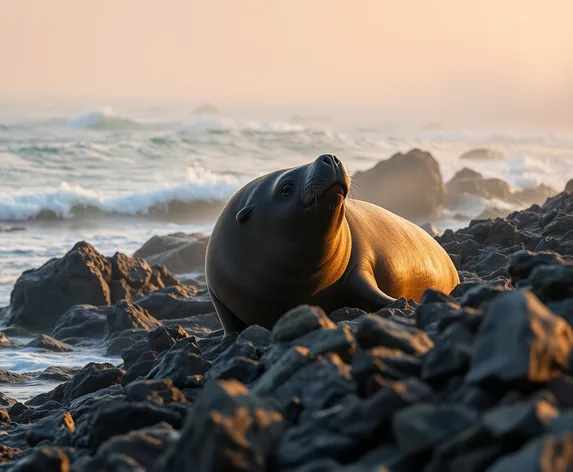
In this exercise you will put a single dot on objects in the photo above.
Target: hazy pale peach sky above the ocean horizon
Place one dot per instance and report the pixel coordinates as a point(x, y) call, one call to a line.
point(285, 51)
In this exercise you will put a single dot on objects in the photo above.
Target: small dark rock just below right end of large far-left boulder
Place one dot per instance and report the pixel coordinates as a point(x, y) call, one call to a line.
point(81, 321)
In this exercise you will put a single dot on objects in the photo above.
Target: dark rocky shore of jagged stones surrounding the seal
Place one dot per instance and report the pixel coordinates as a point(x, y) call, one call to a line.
point(479, 379)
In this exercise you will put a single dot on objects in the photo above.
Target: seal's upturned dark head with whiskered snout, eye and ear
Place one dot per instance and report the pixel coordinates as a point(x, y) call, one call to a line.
point(298, 202)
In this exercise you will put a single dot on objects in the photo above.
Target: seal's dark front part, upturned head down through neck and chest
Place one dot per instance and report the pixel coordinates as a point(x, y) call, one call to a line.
point(282, 237)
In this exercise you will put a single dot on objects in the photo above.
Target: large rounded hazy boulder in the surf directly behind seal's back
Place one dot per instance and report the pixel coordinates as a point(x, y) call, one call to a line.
point(410, 184)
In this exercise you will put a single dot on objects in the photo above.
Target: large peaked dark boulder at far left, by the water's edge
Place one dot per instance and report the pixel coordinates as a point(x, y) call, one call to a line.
point(42, 295)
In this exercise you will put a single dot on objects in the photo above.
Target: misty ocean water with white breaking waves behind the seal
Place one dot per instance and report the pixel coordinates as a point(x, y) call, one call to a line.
point(117, 176)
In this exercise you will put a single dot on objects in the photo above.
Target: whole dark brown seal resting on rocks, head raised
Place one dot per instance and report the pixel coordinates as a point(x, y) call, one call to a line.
point(293, 237)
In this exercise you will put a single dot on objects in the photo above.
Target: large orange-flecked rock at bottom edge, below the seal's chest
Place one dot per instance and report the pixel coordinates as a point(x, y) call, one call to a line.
point(228, 428)
